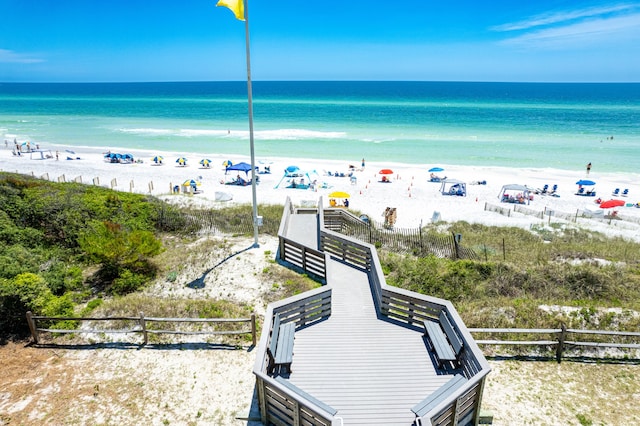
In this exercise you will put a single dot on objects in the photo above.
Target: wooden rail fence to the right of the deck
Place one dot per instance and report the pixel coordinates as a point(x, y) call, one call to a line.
point(562, 339)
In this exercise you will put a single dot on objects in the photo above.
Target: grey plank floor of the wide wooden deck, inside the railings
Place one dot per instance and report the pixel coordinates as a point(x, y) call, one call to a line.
point(371, 370)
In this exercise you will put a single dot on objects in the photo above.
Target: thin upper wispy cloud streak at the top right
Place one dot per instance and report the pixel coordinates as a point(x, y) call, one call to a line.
point(546, 19)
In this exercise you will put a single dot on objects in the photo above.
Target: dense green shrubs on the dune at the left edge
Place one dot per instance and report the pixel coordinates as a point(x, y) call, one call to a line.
point(57, 238)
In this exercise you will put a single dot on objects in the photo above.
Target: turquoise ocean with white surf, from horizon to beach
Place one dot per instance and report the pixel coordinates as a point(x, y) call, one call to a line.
point(531, 125)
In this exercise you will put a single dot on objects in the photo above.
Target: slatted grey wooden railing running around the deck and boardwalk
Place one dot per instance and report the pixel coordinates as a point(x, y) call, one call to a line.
point(280, 405)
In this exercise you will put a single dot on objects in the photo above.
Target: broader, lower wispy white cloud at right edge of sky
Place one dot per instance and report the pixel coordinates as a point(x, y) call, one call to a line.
point(586, 33)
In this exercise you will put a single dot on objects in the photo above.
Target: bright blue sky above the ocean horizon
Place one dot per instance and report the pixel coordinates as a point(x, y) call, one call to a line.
point(192, 40)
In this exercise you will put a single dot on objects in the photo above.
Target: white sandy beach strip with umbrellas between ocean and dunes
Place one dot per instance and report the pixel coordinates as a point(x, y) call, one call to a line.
point(415, 198)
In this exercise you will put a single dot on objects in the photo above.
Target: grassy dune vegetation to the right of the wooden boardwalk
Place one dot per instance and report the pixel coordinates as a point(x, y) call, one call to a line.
point(587, 276)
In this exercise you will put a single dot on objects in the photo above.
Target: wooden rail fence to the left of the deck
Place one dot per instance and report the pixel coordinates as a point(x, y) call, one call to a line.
point(141, 324)
